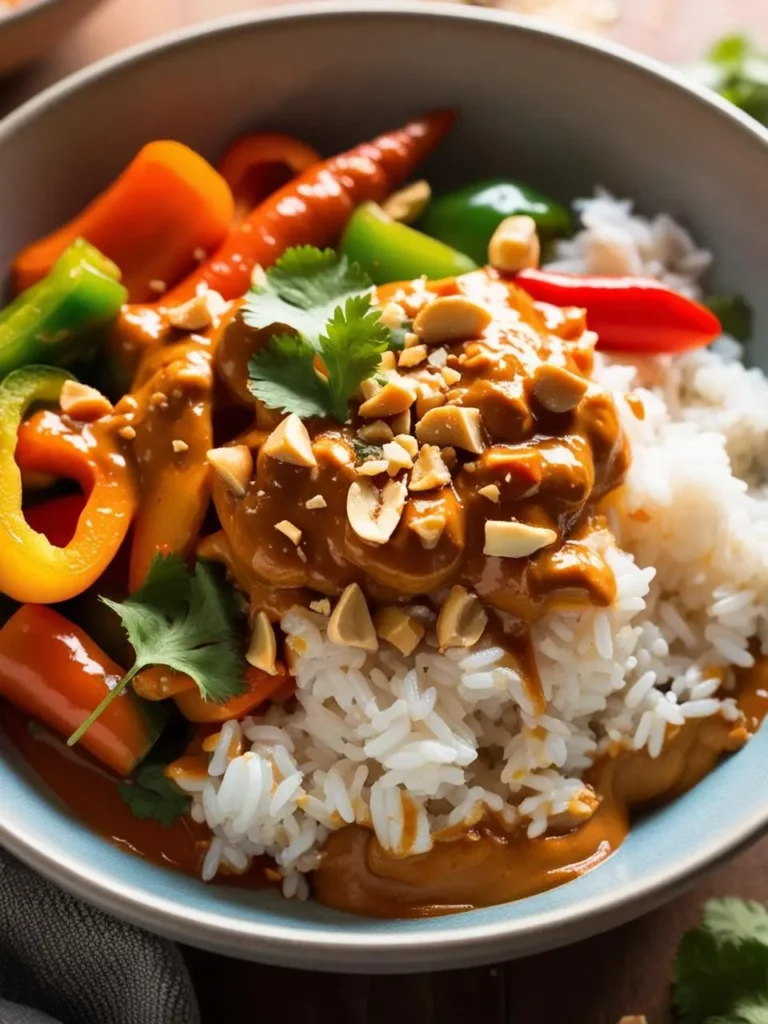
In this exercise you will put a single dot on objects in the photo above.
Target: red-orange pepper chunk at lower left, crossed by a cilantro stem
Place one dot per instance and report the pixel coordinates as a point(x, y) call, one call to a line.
point(52, 670)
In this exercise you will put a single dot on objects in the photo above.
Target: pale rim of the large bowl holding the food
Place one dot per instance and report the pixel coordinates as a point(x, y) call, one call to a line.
point(282, 944)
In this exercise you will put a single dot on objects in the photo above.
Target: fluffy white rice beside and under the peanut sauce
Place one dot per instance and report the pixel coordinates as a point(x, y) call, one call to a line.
point(412, 746)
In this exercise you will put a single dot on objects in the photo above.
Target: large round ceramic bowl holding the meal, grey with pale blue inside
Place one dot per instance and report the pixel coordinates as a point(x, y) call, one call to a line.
point(559, 112)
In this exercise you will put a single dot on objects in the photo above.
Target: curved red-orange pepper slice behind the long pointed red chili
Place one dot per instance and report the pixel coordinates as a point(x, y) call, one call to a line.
point(254, 166)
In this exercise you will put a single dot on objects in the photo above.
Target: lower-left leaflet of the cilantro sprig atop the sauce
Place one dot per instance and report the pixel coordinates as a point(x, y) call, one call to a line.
point(283, 376)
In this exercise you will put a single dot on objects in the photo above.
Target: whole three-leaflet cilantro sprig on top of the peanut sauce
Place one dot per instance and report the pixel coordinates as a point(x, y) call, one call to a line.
point(337, 339)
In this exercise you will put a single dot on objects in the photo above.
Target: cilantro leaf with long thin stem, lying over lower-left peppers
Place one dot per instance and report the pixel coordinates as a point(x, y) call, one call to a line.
point(185, 621)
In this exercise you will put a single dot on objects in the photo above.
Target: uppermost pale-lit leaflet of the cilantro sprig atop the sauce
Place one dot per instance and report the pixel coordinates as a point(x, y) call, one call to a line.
point(304, 289)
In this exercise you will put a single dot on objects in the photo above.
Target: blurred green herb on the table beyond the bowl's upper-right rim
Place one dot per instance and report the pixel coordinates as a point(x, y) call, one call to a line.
point(737, 70)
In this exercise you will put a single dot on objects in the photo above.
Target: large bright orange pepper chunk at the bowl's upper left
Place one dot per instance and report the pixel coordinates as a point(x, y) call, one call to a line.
point(166, 205)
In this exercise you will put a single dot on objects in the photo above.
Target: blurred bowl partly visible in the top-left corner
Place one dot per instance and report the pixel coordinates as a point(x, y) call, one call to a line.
point(33, 27)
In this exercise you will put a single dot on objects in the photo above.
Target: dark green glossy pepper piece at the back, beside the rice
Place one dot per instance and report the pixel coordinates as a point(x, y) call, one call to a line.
point(467, 218)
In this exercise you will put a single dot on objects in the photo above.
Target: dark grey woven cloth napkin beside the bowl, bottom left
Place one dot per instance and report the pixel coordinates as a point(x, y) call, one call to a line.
point(65, 963)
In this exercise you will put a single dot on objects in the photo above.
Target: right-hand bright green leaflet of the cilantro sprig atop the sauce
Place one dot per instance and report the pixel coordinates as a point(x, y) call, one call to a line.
point(352, 349)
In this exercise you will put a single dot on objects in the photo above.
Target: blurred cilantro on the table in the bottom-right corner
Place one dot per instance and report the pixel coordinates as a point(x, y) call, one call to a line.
point(721, 973)
